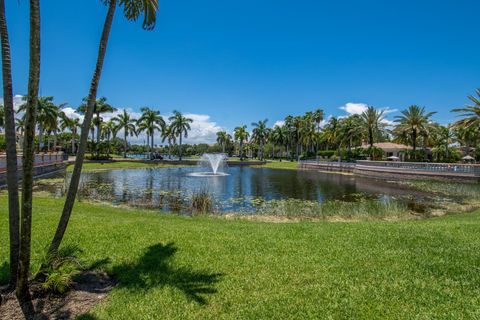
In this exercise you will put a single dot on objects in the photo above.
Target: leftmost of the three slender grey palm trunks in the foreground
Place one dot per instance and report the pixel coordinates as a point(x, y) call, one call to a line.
point(12, 177)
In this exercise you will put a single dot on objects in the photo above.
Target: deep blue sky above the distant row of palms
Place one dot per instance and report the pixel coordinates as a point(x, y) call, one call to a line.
point(236, 62)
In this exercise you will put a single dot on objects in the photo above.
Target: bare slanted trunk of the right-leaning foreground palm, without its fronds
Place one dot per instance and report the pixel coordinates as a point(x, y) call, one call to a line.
point(92, 96)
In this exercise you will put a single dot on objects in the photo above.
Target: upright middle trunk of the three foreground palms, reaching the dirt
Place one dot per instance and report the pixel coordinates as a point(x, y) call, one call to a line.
point(23, 292)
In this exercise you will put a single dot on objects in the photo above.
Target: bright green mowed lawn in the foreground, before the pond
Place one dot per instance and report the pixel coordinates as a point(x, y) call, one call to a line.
point(173, 267)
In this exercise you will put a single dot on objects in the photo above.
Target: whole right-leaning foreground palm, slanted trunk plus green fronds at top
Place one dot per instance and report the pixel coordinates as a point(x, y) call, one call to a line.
point(132, 10)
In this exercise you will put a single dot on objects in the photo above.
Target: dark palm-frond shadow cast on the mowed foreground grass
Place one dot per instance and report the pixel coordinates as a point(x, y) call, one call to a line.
point(154, 269)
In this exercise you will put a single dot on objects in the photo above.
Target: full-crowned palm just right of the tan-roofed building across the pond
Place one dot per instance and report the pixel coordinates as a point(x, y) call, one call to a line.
point(413, 121)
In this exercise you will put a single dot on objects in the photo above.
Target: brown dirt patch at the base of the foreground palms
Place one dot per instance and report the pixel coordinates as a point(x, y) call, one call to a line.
point(89, 289)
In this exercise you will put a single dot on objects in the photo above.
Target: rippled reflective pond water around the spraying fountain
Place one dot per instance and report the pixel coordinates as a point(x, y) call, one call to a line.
point(170, 188)
